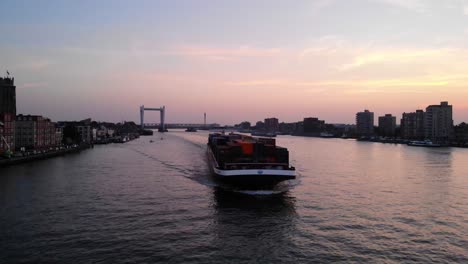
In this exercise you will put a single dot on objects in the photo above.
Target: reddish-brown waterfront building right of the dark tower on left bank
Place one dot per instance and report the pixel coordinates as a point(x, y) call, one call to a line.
point(35, 132)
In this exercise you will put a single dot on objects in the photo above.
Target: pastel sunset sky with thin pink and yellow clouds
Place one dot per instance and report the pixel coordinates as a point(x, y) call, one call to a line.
point(235, 60)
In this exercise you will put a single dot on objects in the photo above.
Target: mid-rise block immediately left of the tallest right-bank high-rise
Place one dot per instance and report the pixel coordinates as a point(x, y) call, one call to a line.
point(412, 125)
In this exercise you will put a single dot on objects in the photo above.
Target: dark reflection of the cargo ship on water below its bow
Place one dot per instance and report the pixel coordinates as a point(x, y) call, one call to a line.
point(255, 228)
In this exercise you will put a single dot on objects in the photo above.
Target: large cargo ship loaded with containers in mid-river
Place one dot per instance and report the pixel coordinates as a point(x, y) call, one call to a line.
point(248, 162)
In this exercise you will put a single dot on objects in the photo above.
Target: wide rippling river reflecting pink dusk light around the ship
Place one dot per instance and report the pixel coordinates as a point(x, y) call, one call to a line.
point(143, 202)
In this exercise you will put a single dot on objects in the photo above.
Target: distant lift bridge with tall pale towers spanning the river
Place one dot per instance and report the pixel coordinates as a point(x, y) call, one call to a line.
point(162, 126)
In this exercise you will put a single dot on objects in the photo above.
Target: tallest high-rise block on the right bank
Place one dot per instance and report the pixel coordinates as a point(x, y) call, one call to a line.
point(438, 125)
